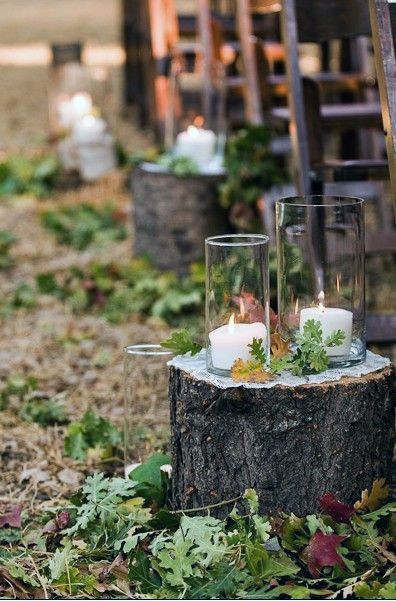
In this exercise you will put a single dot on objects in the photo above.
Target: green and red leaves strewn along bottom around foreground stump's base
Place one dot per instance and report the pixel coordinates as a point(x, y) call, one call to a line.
point(120, 538)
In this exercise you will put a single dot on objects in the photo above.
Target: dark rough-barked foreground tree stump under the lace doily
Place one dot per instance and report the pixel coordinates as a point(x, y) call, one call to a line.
point(290, 443)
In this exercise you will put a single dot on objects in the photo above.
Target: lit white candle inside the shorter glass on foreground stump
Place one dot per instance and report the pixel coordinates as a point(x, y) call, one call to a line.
point(230, 342)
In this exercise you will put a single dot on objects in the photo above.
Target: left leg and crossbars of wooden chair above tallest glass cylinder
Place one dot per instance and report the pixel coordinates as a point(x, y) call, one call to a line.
point(320, 21)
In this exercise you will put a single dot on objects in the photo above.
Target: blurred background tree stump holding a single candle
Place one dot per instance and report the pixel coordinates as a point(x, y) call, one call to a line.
point(173, 216)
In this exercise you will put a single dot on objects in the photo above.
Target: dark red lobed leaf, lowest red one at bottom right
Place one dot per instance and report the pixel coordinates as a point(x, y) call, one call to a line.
point(322, 551)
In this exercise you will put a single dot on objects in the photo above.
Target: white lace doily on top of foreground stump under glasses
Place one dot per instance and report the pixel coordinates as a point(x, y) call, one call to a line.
point(196, 367)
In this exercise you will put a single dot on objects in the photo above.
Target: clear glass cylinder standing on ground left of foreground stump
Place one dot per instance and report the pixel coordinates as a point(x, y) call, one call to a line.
point(145, 401)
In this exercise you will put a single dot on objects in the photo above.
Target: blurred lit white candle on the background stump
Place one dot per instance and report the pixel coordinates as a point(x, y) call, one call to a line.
point(197, 144)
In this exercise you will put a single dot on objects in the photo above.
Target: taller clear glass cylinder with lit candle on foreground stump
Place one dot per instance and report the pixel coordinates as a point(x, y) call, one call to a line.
point(320, 250)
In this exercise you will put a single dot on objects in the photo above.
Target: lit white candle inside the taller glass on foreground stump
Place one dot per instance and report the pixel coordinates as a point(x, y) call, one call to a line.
point(331, 319)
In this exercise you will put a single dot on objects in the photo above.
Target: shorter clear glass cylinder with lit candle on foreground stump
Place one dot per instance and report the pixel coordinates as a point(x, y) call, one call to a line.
point(237, 299)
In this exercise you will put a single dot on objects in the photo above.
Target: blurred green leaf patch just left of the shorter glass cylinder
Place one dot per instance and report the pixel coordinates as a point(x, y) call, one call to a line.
point(118, 290)
